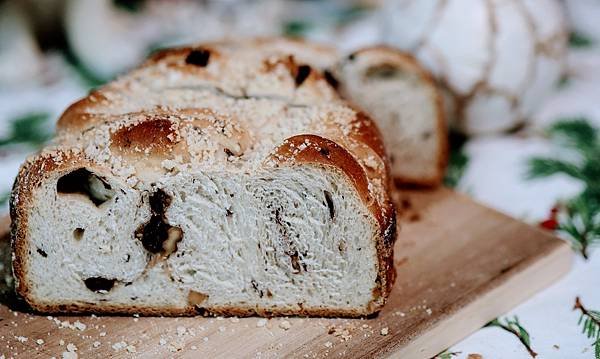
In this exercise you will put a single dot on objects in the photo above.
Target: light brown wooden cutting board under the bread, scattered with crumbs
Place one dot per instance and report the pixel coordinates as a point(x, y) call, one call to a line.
point(459, 266)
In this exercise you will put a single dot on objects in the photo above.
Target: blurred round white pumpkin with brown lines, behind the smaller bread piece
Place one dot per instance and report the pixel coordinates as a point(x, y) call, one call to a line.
point(498, 59)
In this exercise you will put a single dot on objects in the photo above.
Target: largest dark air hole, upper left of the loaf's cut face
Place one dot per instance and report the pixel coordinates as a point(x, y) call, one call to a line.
point(84, 182)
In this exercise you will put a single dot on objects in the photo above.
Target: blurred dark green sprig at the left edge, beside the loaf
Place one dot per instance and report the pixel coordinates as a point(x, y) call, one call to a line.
point(30, 129)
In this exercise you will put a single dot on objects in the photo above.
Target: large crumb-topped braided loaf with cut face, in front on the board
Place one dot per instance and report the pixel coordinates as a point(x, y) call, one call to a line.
point(212, 179)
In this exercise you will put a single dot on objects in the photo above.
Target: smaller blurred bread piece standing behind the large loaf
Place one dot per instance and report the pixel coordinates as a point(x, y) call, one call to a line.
point(402, 98)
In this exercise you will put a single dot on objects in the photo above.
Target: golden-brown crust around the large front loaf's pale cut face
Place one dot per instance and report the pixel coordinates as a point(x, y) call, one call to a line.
point(157, 133)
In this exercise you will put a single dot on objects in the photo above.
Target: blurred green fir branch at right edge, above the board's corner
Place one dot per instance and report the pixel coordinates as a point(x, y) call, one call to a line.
point(581, 220)
